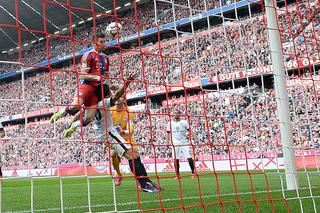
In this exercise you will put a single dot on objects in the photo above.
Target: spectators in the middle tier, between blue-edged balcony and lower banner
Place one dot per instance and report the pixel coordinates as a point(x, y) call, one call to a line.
point(203, 55)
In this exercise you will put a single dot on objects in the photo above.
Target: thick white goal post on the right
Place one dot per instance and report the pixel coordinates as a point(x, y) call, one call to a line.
point(280, 79)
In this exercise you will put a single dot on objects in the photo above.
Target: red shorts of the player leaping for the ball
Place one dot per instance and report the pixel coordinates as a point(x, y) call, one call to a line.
point(87, 93)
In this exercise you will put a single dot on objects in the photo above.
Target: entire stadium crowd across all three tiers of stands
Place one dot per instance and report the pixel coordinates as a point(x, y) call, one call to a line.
point(236, 122)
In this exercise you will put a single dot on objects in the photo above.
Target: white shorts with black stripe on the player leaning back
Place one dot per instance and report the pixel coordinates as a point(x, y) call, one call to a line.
point(117, 143)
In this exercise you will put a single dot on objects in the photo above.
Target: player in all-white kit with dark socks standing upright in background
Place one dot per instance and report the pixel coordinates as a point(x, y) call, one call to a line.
point(178, 130)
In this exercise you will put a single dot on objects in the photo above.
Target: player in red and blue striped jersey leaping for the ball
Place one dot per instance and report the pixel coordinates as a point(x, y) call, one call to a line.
point(94, 68)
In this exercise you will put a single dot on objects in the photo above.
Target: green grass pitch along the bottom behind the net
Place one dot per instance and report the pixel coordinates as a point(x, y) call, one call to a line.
point(16, 194)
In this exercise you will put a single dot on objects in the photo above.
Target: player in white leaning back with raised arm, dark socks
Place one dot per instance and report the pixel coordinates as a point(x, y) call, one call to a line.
point(107, 132)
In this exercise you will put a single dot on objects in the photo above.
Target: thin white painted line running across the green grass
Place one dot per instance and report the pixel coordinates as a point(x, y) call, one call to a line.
point(150, 201)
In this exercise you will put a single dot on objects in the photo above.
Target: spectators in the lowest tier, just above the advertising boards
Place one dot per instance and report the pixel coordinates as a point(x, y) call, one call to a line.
point(238, 122)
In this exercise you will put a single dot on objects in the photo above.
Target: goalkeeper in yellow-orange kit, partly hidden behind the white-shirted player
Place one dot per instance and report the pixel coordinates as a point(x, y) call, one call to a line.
point(123, 121)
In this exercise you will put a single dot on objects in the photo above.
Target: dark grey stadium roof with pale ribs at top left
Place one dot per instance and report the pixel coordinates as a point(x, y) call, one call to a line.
point(31, 16)
